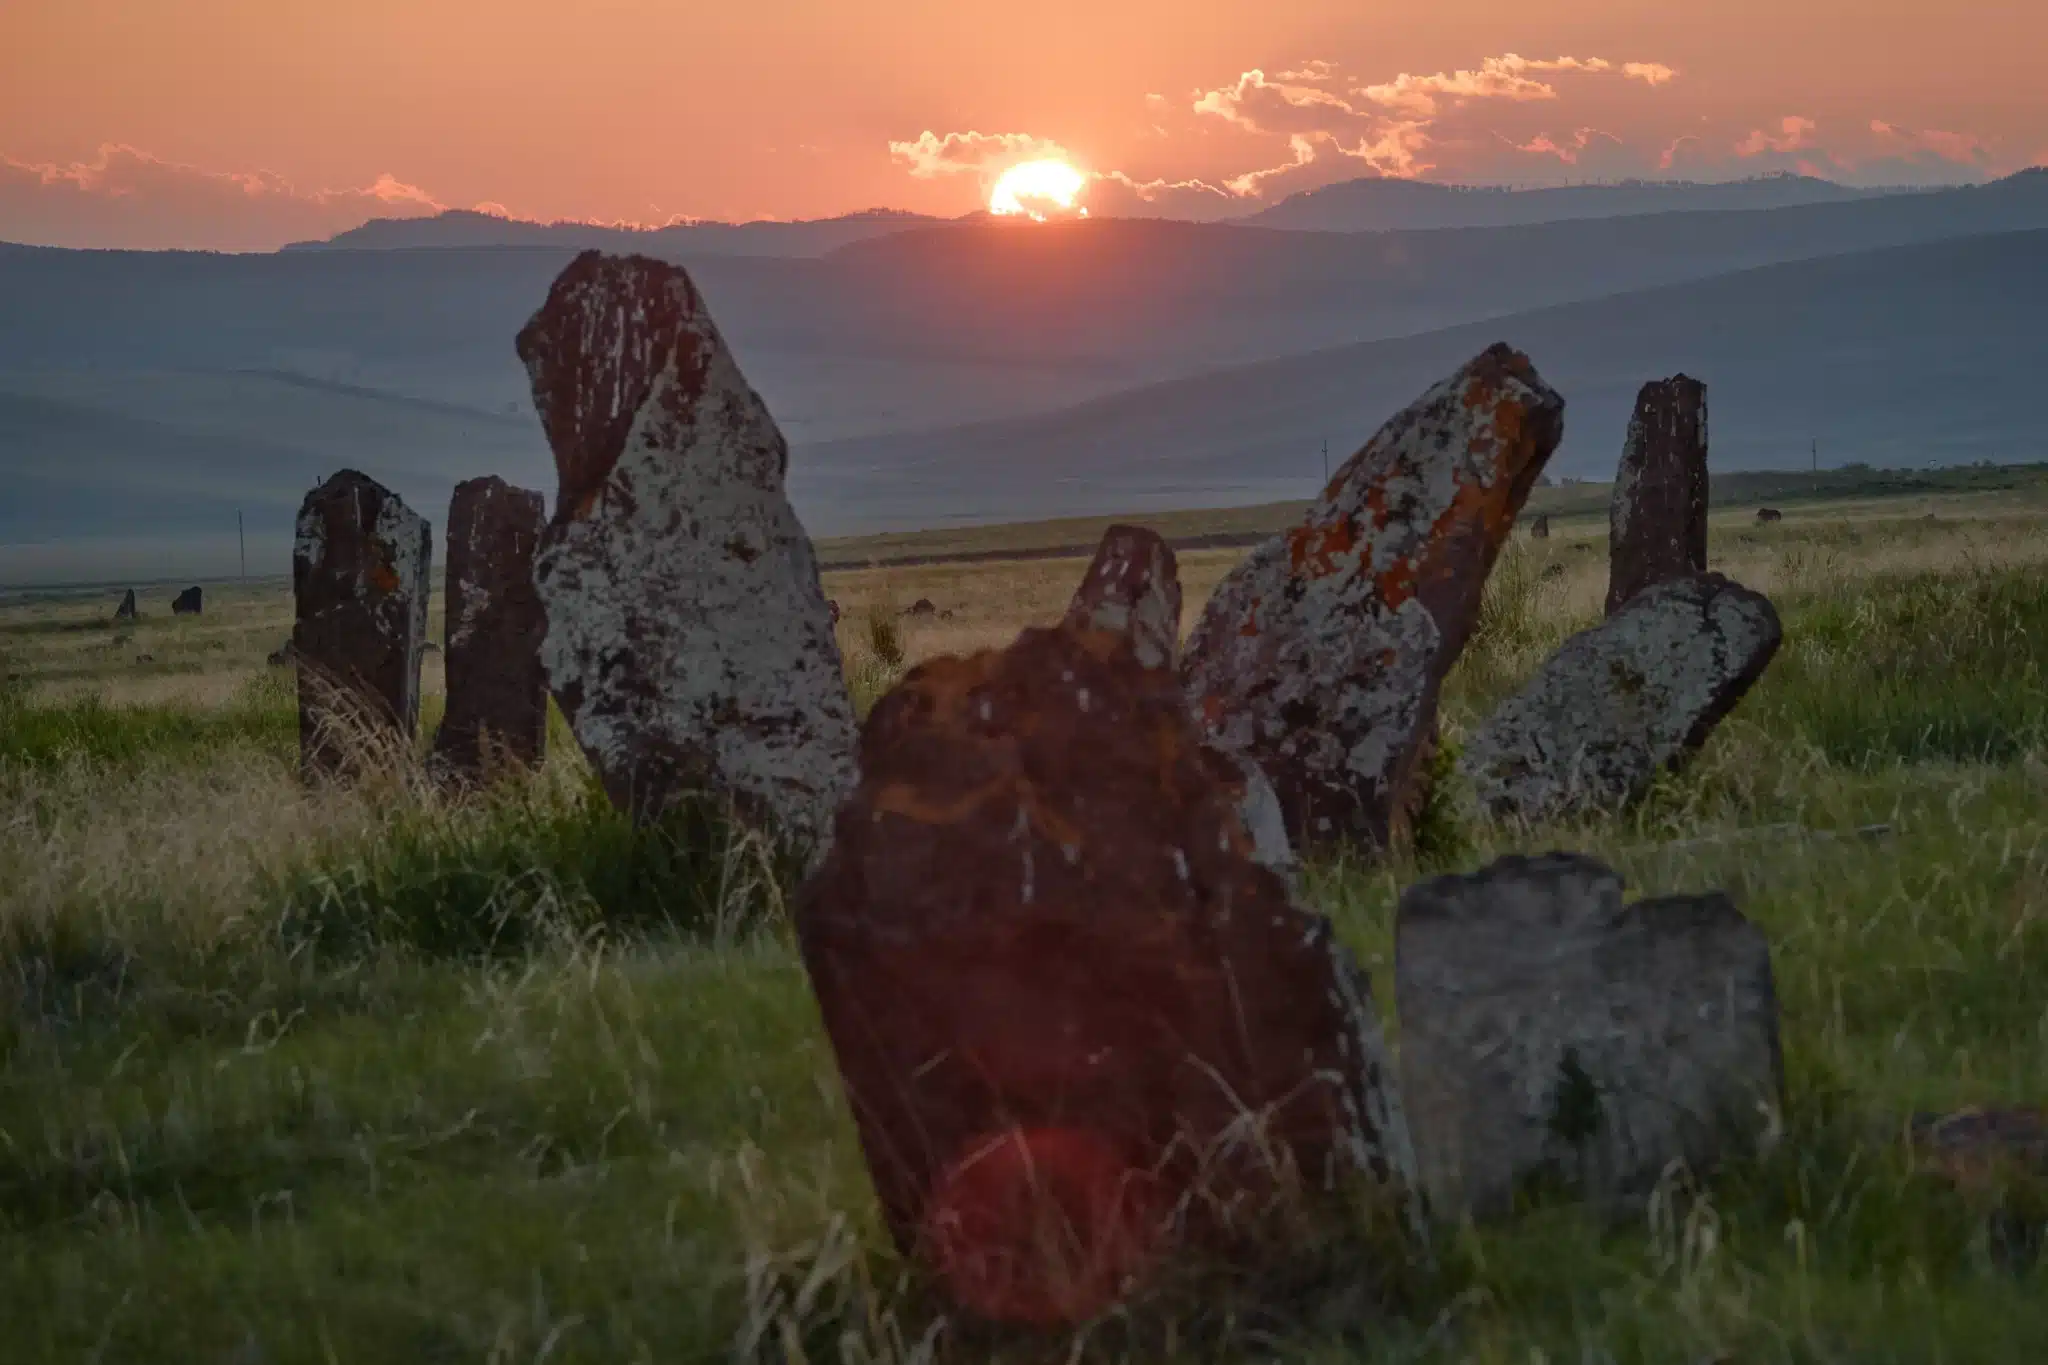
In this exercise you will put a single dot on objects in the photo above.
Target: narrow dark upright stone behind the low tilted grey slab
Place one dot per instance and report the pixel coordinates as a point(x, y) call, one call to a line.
point(1658, 519)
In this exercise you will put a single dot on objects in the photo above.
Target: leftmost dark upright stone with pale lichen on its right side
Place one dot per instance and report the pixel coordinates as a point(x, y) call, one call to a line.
point(359, 574)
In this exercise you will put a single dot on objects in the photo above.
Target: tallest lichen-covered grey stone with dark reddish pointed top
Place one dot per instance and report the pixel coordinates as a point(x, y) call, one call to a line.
point(687, 633)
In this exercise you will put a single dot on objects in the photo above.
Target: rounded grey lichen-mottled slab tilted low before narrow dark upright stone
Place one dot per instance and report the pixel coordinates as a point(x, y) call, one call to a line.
point(1625, 701)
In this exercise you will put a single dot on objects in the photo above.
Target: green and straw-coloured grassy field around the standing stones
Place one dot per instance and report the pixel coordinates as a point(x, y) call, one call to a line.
point(372, 1075)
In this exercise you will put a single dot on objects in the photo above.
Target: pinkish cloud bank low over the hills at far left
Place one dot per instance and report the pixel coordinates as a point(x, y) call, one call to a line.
point(132, 200)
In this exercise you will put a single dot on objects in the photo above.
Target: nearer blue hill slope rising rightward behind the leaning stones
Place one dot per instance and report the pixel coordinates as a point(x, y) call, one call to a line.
point(1904, 357)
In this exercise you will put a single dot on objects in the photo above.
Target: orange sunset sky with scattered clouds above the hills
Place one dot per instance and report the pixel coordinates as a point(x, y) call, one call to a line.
point(243, 124)
